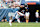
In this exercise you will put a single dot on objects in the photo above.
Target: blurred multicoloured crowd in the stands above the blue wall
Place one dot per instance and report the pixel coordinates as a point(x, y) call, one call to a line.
point(11, 4)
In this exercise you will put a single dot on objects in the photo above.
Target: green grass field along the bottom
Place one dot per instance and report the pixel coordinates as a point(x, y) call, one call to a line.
point(31, 24)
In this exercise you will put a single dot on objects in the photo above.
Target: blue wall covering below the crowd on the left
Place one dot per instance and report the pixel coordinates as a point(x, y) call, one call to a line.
point(4, 12)
